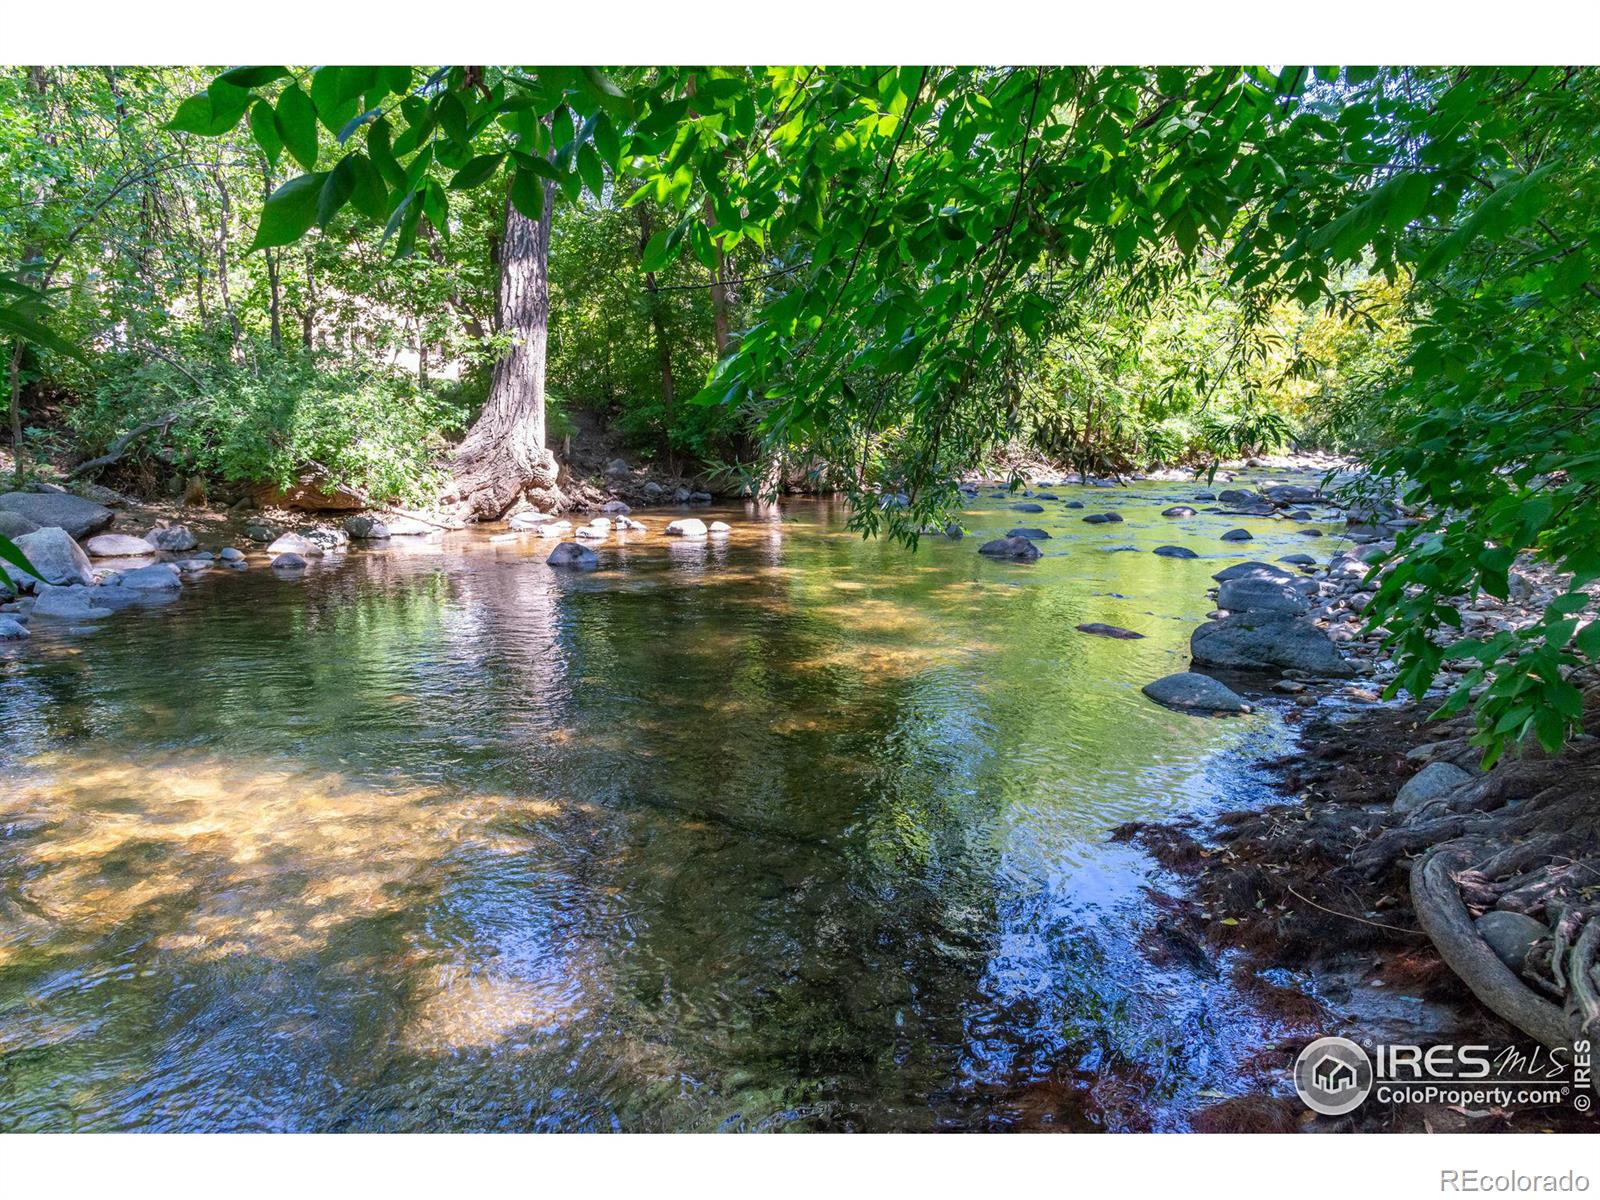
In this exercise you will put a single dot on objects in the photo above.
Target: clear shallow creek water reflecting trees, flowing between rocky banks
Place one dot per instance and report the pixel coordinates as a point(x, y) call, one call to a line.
point(786, 831)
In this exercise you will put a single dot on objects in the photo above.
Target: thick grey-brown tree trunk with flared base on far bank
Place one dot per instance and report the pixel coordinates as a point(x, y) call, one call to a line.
point(503, 455)
